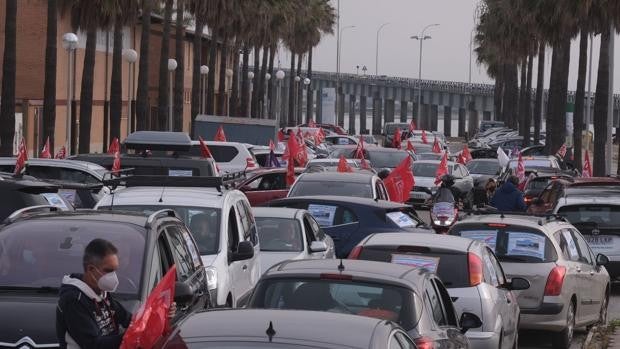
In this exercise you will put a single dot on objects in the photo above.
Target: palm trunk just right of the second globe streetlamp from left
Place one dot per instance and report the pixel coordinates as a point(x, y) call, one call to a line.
point(142, 97)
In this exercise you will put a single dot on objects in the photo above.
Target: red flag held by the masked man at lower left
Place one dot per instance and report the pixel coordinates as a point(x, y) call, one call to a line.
point(151, 322)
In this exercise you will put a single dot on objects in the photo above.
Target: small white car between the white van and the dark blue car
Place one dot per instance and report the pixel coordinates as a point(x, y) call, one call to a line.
point(287, 233)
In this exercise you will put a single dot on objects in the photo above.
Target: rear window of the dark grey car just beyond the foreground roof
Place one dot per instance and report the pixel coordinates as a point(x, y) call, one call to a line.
point(377, 300)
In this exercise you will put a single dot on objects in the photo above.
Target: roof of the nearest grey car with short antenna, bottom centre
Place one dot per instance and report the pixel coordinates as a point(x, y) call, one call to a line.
point(258, 328)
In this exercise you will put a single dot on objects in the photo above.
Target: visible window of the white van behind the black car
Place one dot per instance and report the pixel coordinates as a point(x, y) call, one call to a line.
point(203, 223)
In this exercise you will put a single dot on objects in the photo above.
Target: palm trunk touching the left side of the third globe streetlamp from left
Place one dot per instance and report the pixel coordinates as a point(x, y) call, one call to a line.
point(164, 80)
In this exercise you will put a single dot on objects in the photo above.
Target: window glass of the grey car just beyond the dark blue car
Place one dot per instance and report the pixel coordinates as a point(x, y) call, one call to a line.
point(340, 188)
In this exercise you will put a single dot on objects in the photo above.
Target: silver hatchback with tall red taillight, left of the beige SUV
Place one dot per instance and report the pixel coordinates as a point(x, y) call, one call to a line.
point(471, 273)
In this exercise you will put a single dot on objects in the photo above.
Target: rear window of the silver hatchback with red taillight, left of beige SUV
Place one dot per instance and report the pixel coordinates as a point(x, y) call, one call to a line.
point(450, 266)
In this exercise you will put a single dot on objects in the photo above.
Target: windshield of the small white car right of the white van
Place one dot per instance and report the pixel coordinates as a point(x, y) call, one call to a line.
point(279, 234)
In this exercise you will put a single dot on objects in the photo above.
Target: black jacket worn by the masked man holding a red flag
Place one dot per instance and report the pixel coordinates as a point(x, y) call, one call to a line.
point(85, 319)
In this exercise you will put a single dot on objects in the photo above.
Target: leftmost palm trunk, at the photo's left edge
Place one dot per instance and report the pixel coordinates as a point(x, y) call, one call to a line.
point(7, 107)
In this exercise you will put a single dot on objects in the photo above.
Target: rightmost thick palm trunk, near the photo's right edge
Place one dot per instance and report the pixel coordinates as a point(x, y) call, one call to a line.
point(600, 107)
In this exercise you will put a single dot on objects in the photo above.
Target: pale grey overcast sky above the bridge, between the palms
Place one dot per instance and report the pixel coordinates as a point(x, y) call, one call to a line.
point(446, 55)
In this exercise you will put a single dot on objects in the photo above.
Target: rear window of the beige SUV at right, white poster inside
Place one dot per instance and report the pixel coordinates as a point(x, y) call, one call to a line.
point(510, 243)
